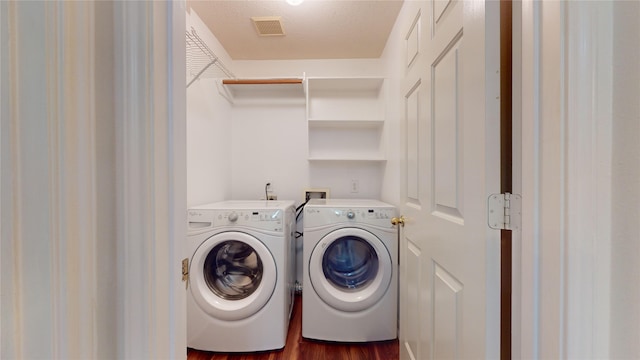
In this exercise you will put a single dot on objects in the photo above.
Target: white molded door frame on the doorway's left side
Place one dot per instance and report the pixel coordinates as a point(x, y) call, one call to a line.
point(149, 44)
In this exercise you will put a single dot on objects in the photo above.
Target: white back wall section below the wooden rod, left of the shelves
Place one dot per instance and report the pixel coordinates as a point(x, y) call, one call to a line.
point(269, 146)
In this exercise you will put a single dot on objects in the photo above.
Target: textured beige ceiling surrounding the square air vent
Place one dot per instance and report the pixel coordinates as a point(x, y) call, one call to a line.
point(315, 29)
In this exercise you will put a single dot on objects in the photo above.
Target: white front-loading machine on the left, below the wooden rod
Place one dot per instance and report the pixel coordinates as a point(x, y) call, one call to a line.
point(241, 275)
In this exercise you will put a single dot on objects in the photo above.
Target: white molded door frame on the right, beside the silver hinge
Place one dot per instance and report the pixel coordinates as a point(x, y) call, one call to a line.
point(562, 137)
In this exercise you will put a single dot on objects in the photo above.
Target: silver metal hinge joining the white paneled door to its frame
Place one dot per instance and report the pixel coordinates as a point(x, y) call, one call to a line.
point(504, 211)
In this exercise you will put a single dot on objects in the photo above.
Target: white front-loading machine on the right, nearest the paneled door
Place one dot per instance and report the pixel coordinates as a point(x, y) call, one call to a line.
point(350, 278)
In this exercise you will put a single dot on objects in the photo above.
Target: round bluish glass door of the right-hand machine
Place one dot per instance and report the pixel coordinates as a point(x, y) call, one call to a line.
point(350, 269)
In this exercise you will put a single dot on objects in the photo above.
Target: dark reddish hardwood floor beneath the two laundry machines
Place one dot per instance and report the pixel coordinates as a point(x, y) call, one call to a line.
point(298, 348)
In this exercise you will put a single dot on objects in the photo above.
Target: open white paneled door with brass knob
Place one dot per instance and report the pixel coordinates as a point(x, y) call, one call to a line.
point(449, 258)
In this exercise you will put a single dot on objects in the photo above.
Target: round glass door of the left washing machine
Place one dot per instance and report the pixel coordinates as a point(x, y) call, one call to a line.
point(232, 275)
